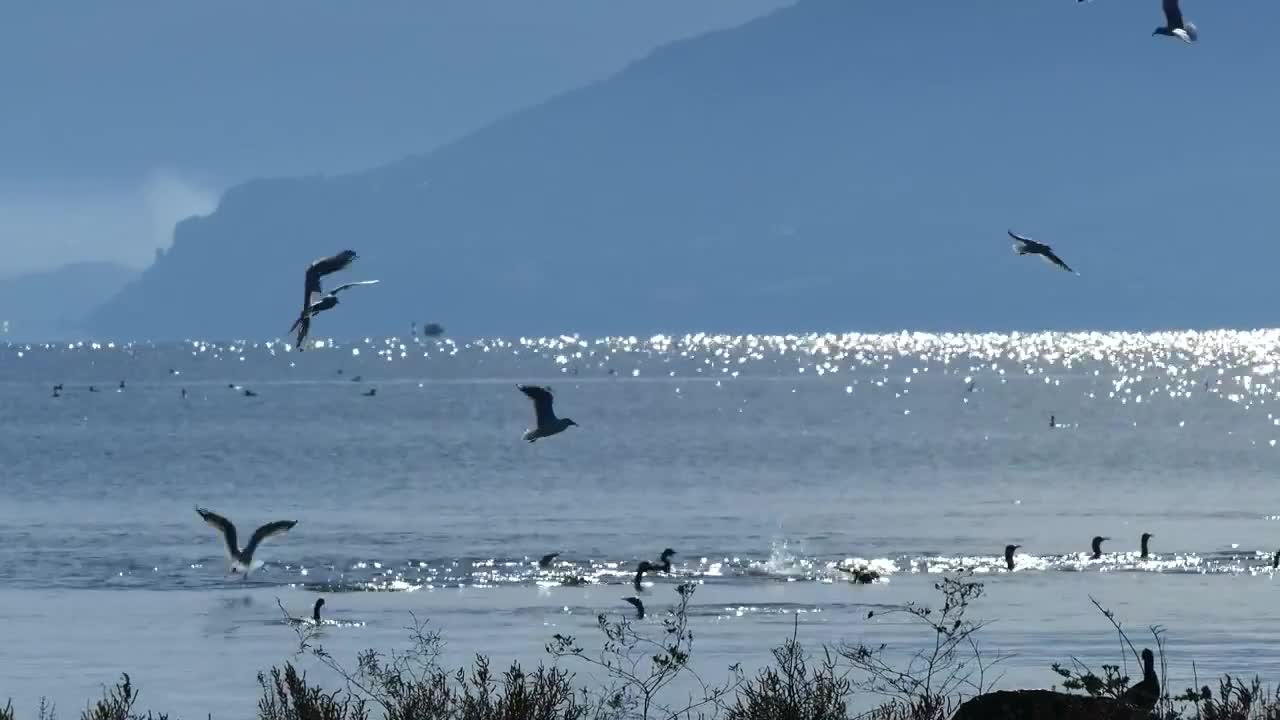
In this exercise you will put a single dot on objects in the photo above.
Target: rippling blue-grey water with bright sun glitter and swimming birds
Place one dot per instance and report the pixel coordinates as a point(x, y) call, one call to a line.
point(764, 462)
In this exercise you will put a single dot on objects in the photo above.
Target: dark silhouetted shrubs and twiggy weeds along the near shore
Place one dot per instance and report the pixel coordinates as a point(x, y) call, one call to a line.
point(636, 672)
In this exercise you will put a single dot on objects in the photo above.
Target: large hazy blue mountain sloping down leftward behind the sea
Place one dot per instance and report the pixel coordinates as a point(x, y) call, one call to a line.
point(804, 171)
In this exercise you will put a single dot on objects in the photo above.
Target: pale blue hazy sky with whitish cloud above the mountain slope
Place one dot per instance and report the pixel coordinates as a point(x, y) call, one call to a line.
point(118, 120)
